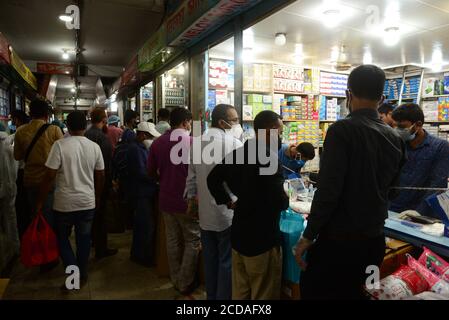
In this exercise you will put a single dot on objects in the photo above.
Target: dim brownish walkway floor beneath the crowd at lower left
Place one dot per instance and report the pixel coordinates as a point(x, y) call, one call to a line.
point(115, 278)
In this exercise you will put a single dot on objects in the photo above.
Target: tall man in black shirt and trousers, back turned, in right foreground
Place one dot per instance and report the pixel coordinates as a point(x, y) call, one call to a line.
point(361, 160)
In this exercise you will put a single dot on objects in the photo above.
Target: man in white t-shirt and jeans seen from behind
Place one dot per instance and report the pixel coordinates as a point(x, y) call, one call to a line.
point(76, 165)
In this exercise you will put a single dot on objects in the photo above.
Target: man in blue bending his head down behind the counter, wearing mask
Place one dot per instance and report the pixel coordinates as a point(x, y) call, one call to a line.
point(293, 158)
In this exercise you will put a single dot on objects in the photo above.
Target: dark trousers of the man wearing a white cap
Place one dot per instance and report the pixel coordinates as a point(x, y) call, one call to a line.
point(143, 230)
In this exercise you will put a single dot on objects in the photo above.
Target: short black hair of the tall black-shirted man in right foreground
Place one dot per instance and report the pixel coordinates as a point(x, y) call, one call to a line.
point(367, 82)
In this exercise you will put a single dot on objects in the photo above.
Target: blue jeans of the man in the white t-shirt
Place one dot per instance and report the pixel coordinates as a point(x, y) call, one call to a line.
point(82, 221)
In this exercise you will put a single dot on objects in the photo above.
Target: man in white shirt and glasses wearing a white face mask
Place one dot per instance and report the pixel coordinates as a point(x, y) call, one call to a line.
point(215, 220)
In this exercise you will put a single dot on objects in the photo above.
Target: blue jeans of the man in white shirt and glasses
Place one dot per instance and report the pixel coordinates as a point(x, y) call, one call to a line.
point(217, 254)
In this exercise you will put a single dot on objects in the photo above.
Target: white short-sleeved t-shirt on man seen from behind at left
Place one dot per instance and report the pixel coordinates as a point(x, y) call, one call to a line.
point(76, 158)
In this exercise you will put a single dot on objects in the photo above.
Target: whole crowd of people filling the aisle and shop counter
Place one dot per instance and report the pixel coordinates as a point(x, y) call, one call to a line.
point(225, 209)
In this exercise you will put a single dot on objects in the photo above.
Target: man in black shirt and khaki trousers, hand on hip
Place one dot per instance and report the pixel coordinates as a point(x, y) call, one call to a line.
point(255, 234)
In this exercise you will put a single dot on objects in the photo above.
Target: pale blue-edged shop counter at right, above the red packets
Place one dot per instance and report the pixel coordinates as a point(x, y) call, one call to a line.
point(394, 229)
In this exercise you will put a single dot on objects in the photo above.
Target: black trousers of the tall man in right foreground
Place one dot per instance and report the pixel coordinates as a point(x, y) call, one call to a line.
point(336, 269)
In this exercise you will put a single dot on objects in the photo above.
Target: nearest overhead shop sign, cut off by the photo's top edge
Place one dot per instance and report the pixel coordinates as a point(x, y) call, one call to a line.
point(195, 18)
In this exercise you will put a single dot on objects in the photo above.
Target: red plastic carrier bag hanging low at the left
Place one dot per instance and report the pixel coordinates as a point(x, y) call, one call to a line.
point(39, 243)
